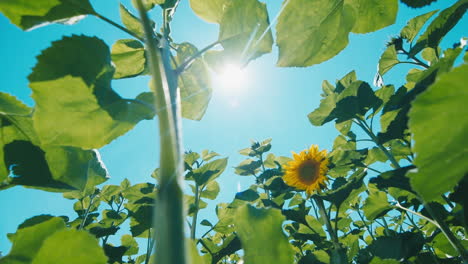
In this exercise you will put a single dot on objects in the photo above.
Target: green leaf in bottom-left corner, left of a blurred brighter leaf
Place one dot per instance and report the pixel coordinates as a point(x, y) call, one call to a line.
point(30, 237)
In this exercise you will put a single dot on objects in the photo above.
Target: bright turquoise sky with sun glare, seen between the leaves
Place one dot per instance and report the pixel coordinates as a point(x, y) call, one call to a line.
point(273, 103)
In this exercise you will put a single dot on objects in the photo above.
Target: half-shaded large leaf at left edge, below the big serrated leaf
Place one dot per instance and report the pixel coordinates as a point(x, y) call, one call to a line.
point(44, 167)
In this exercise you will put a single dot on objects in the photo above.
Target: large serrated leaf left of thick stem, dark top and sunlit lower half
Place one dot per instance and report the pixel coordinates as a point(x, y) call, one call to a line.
point(75, 105)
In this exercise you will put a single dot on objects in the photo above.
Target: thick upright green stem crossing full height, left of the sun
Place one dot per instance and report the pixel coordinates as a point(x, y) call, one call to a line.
point(169, 209)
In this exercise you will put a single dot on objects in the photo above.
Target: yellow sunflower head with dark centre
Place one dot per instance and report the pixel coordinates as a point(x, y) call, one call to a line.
point(307, 171)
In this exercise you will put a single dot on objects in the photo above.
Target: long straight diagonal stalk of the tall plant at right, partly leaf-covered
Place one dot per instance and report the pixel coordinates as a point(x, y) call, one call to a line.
point(456, 244)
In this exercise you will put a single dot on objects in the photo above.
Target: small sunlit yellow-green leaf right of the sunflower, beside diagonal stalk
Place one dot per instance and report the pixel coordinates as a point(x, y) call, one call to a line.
point(376, 204)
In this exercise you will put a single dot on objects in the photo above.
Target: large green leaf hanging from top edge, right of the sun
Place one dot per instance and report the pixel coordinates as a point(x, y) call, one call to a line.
point(311, 32)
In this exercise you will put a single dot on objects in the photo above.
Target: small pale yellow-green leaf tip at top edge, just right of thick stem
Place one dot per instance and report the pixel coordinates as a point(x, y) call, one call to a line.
point(209, 10)
